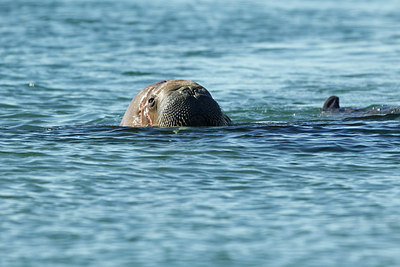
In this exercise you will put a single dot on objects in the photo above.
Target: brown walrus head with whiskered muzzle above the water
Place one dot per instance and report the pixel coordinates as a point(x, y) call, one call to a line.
point(174, 103)
